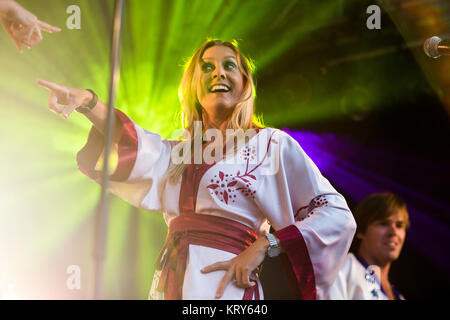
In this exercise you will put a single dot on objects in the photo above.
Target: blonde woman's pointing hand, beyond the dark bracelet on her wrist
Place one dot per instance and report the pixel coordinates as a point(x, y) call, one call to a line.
point(64, 100)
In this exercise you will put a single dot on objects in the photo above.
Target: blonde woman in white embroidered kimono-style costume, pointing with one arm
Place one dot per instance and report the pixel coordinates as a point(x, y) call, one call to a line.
point(220, 198)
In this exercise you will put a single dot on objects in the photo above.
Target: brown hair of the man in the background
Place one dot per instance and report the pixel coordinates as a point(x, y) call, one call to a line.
point(376, 207)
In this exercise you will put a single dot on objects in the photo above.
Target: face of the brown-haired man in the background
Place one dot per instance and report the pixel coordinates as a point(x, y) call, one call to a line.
point(383, 240)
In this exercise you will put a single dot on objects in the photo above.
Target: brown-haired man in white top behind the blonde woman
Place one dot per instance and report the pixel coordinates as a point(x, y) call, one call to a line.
point(382, 220)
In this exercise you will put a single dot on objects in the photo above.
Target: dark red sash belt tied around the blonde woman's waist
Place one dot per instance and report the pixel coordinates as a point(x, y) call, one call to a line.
point(204, 230)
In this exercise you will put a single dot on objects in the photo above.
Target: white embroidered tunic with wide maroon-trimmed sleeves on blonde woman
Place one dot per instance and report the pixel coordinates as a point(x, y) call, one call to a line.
point(271, 180)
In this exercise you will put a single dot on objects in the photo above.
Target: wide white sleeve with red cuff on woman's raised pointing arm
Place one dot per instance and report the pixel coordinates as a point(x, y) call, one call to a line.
point(139, 162)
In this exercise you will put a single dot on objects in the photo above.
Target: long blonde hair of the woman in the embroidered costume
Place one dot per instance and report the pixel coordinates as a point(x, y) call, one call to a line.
point(191, 110)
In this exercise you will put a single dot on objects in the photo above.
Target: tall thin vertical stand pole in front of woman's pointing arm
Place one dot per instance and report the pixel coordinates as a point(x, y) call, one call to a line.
point(101, 227)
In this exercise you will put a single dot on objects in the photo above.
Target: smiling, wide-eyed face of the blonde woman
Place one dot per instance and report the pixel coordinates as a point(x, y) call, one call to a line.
point(221, 81)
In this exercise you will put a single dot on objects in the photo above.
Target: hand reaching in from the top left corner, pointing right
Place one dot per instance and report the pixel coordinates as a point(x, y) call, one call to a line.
point(22, 26)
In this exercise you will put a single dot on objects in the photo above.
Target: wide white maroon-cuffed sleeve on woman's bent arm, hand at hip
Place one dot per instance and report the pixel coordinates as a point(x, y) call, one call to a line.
point(311, 219)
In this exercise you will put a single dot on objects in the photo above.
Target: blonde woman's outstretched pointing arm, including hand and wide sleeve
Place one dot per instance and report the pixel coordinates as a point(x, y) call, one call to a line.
point(139, 158)
